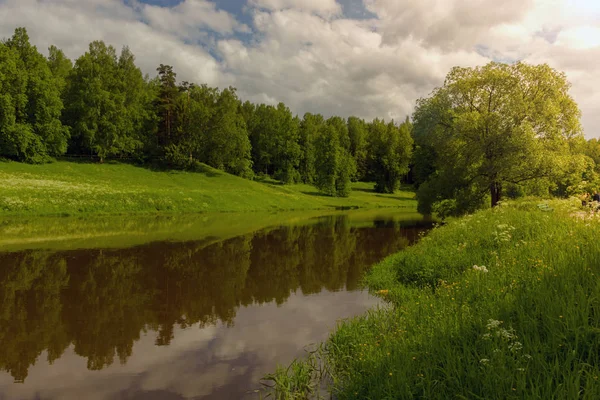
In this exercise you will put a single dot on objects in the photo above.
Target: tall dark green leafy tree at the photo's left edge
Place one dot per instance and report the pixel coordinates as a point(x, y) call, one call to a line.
point(30, 103)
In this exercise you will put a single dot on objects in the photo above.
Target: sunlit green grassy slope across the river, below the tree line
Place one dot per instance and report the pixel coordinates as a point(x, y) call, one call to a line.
point(65, 188)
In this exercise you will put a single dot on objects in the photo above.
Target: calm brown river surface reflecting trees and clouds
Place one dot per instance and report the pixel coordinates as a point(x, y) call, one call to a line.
point(194, 319)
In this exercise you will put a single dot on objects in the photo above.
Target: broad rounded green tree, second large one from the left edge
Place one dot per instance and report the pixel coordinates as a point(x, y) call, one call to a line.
point(108, 102)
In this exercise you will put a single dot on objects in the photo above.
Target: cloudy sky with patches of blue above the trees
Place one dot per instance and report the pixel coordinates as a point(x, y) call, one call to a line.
point(368, 58)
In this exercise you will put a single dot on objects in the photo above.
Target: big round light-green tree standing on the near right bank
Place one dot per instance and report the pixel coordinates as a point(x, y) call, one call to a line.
point(490, 126)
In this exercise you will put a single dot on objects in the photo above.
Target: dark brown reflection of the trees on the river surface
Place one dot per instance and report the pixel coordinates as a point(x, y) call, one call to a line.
point(102, 300)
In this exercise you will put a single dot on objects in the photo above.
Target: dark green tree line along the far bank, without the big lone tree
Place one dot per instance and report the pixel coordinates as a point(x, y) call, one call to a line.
point(103, 106)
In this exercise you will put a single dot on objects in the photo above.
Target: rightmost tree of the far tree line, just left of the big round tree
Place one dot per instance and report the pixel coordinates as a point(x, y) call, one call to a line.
point(390, 149)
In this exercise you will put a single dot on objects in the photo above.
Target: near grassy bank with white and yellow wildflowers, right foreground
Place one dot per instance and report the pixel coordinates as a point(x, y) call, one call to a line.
point(499, 305)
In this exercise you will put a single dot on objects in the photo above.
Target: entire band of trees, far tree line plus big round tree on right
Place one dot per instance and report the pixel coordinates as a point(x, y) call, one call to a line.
point(489, 133)
